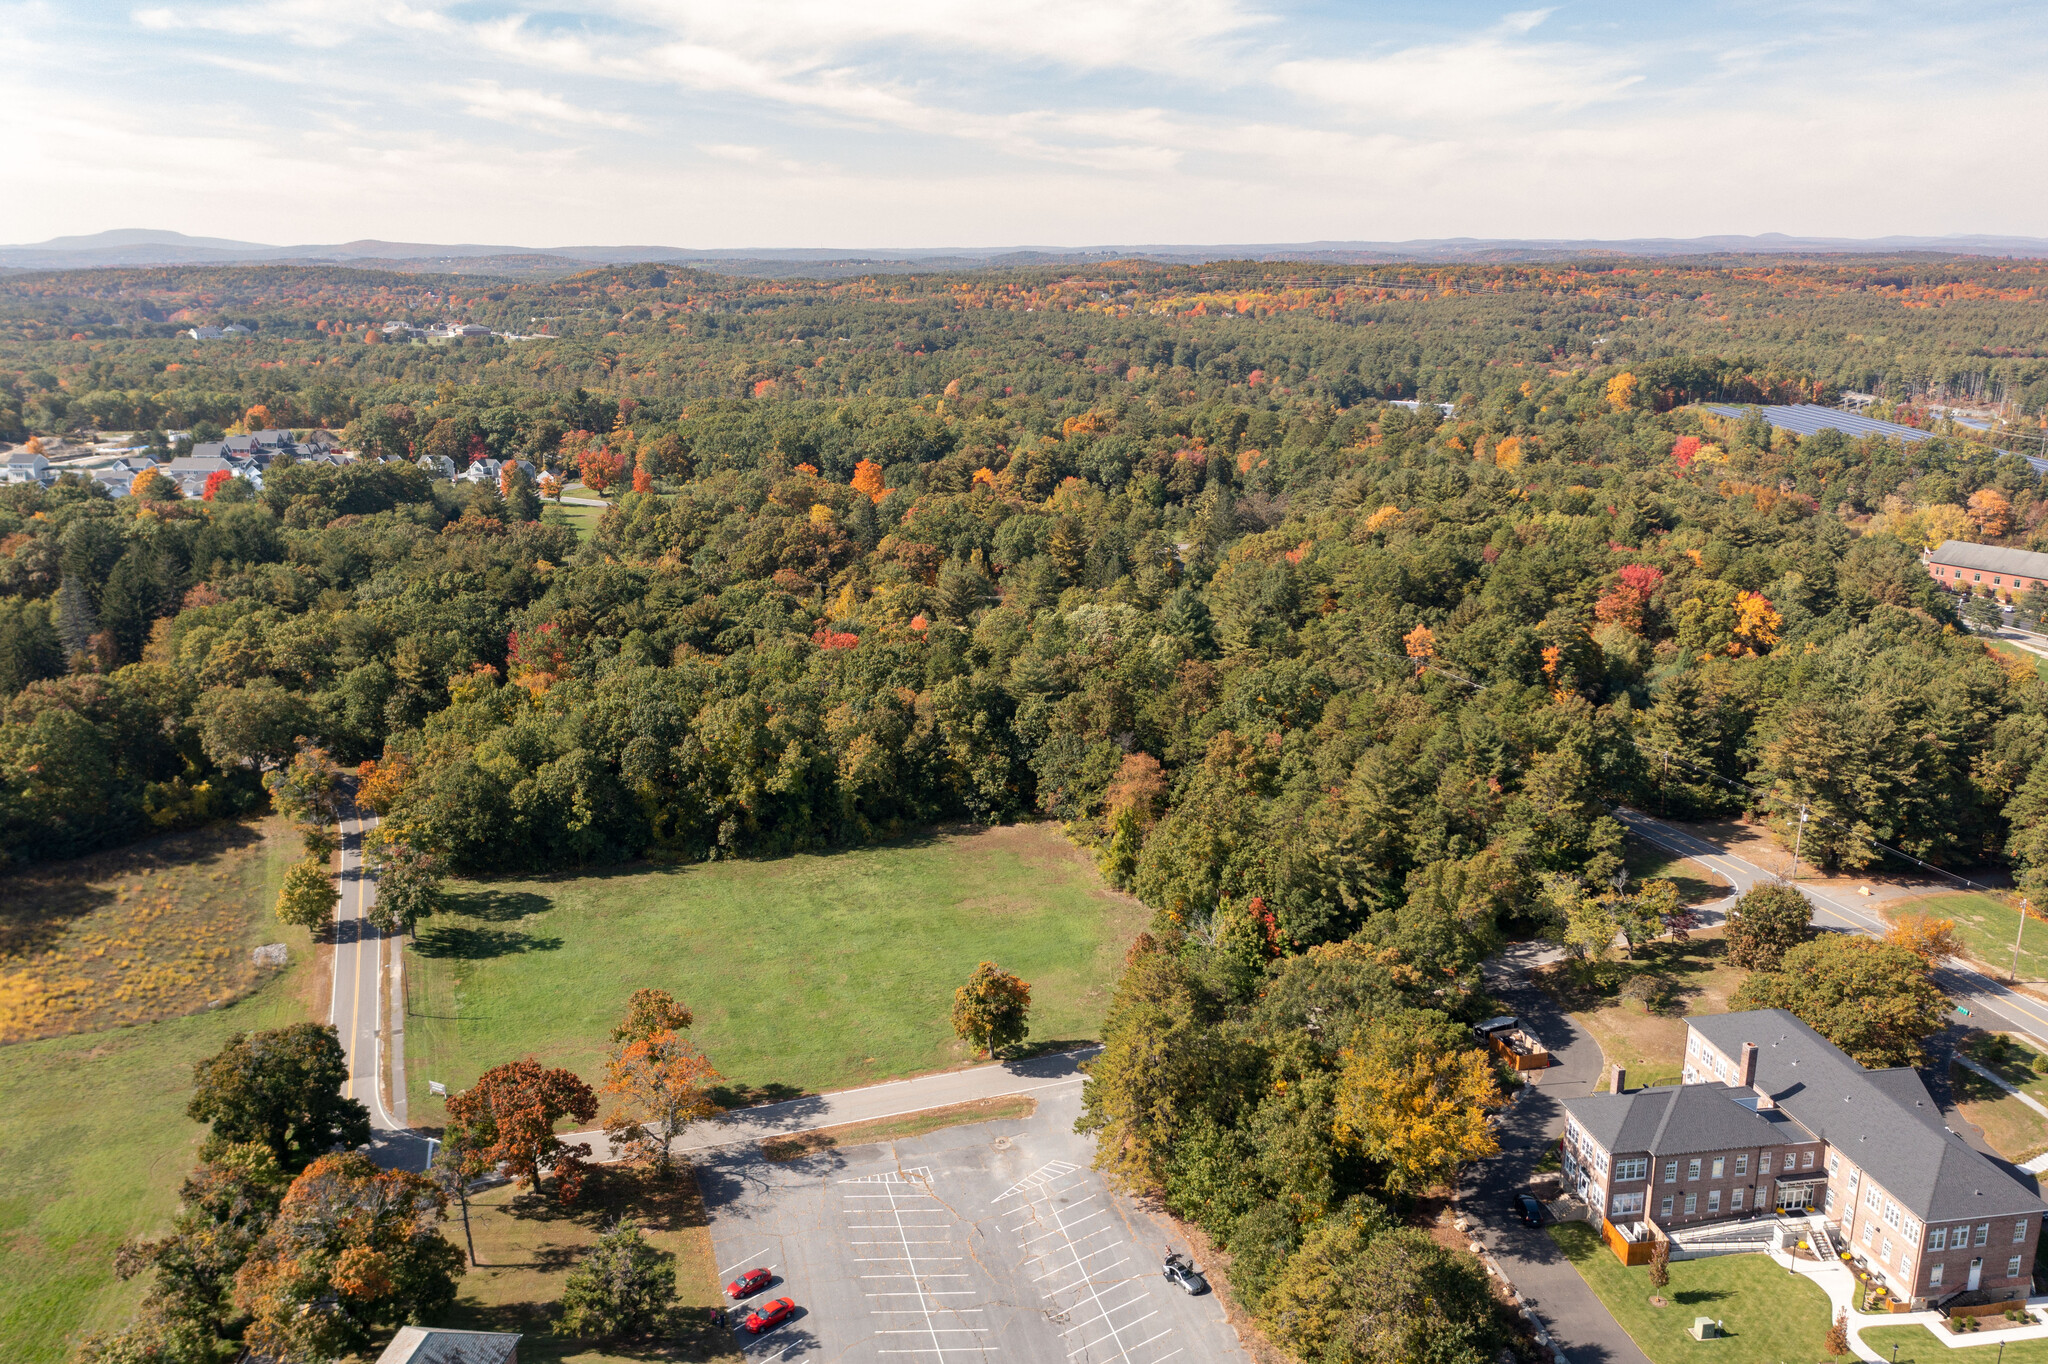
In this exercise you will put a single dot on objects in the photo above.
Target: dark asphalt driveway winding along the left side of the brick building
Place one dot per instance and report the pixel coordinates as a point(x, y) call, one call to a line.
point(1578, 1322)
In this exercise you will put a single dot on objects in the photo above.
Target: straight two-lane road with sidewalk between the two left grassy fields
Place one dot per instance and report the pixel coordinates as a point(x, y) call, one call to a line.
point(370, 1007)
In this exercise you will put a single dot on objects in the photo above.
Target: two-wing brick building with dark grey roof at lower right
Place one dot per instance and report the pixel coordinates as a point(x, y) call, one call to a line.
point(1777, 1119)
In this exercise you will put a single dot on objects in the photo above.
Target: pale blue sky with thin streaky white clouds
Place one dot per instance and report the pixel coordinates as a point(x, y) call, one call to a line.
point(861, 124)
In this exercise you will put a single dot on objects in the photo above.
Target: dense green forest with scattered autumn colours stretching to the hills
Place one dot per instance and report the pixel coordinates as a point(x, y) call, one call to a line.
point(1342, 689)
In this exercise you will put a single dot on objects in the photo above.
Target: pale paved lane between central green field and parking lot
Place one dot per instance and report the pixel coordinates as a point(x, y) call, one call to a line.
point(871, 1103)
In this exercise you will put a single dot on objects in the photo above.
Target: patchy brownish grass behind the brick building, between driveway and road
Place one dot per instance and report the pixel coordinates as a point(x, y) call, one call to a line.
point(1637, 1009)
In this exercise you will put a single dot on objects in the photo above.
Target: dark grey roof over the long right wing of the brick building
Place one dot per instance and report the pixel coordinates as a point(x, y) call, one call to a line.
point(1885, 1121)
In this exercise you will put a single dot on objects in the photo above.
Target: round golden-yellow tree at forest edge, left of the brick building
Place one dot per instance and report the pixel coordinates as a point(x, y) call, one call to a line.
point(1416, 1101)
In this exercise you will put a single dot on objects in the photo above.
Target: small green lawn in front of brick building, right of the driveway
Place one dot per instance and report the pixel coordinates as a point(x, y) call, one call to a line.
point(1768, 1314)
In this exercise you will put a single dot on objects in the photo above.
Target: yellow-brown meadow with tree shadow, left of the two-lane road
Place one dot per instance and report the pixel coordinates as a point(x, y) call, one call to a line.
point(142, 933)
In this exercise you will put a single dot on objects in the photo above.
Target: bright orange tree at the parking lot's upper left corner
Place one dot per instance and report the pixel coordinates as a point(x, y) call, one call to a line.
point(658, 1080)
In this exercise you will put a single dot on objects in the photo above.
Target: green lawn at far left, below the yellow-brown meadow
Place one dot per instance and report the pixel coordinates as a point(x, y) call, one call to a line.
point(95, 1144)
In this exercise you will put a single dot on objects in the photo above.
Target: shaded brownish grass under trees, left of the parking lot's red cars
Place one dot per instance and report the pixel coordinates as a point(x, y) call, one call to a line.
point(527, 1246)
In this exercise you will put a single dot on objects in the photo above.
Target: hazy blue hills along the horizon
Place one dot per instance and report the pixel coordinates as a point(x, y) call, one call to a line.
point(142, 247)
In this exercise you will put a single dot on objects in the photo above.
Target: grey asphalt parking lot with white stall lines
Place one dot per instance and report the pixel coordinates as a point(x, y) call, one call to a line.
point(978, 1242)
